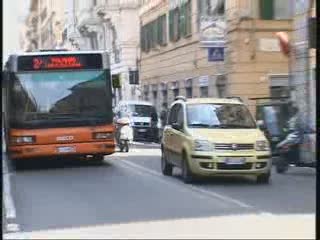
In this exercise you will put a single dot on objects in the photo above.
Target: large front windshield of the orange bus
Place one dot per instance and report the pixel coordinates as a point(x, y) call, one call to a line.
point(60, 98)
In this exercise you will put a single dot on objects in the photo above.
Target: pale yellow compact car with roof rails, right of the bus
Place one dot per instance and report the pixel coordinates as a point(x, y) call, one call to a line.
point(209, 137)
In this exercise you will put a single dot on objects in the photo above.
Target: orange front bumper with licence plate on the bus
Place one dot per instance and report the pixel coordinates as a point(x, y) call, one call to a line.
point(52, 150)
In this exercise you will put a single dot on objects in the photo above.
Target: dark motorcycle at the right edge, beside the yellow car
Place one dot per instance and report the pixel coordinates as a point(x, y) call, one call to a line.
point(289, 153)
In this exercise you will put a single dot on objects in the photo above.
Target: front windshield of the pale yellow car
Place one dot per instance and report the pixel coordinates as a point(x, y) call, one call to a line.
point(219, 116)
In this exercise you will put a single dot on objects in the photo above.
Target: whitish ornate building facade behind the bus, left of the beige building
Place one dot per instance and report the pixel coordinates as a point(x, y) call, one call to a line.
point(113, 26)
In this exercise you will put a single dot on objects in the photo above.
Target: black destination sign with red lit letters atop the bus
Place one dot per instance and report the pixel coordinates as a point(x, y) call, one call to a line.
point(59, 62)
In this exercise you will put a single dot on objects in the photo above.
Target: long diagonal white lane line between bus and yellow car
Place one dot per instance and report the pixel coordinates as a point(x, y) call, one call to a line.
point(189, 187)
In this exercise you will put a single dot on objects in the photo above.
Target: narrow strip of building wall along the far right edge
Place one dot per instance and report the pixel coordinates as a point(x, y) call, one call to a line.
point(303, 69)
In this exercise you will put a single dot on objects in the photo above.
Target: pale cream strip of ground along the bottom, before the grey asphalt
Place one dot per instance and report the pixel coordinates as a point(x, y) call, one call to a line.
point(250, 226)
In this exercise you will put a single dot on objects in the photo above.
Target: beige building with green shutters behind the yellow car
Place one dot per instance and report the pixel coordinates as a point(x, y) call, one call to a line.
point(217, 48)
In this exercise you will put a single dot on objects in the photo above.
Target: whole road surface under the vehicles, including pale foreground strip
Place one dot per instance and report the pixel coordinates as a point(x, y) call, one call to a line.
point(129, 190)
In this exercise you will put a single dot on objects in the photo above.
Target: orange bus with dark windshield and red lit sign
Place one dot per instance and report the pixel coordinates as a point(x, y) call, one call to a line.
point(58, 104)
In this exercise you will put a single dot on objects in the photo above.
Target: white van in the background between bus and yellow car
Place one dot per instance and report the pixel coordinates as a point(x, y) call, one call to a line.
point(143, 119)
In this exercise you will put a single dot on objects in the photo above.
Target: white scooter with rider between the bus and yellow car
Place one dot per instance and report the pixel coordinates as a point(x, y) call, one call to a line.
point(124, 134)
